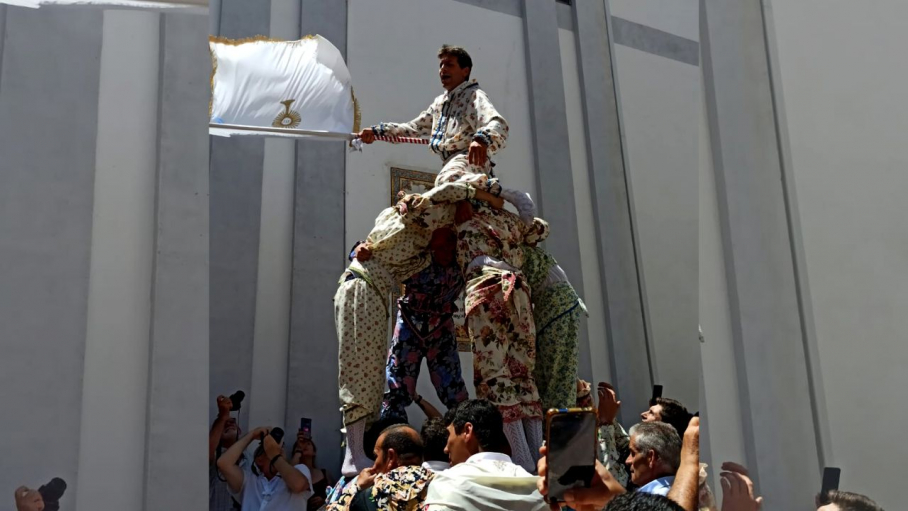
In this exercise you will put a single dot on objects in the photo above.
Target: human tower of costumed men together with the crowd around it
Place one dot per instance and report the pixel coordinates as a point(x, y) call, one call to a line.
point(523, 318)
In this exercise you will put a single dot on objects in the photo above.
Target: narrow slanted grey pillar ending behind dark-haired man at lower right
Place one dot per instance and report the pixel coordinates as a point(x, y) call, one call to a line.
point(629, 345)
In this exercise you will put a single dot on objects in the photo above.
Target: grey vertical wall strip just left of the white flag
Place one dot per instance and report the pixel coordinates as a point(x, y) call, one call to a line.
point(178, 366)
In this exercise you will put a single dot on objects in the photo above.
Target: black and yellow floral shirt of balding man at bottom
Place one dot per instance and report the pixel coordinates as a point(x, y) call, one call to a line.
point(402, 489)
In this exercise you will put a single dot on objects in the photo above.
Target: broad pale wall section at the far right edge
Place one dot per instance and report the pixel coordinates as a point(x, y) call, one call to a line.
point(847, 124)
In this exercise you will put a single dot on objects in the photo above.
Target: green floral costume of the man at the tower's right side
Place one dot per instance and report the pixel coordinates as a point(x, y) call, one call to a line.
point(556, 310)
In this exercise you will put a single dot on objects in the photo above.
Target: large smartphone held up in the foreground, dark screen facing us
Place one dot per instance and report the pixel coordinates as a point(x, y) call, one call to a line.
point(570, 435)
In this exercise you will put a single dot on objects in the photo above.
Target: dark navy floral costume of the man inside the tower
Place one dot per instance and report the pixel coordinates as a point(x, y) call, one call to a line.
point(425, 329)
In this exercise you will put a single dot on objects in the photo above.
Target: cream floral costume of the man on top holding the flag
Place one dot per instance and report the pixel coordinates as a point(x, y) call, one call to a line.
point(452, 122)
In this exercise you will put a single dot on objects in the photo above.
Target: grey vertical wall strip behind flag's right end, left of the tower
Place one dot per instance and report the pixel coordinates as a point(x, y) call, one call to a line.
point(319, 257)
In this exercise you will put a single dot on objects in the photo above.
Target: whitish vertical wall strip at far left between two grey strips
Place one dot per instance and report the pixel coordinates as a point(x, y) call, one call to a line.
point(115, 380)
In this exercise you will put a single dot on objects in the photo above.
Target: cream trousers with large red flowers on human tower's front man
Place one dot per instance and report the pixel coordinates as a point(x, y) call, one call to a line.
point(500, 319)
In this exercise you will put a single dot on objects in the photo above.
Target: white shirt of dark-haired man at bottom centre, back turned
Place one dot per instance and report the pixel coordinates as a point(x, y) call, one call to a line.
point(488, 481)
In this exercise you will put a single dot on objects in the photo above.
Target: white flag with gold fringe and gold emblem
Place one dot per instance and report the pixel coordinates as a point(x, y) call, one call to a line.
point(277, 86)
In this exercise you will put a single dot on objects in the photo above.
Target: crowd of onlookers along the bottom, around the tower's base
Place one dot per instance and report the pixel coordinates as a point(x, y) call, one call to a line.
point(461, 461)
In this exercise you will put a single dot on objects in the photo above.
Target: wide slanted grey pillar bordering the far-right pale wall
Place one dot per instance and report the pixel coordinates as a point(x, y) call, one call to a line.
point(767, 327)
